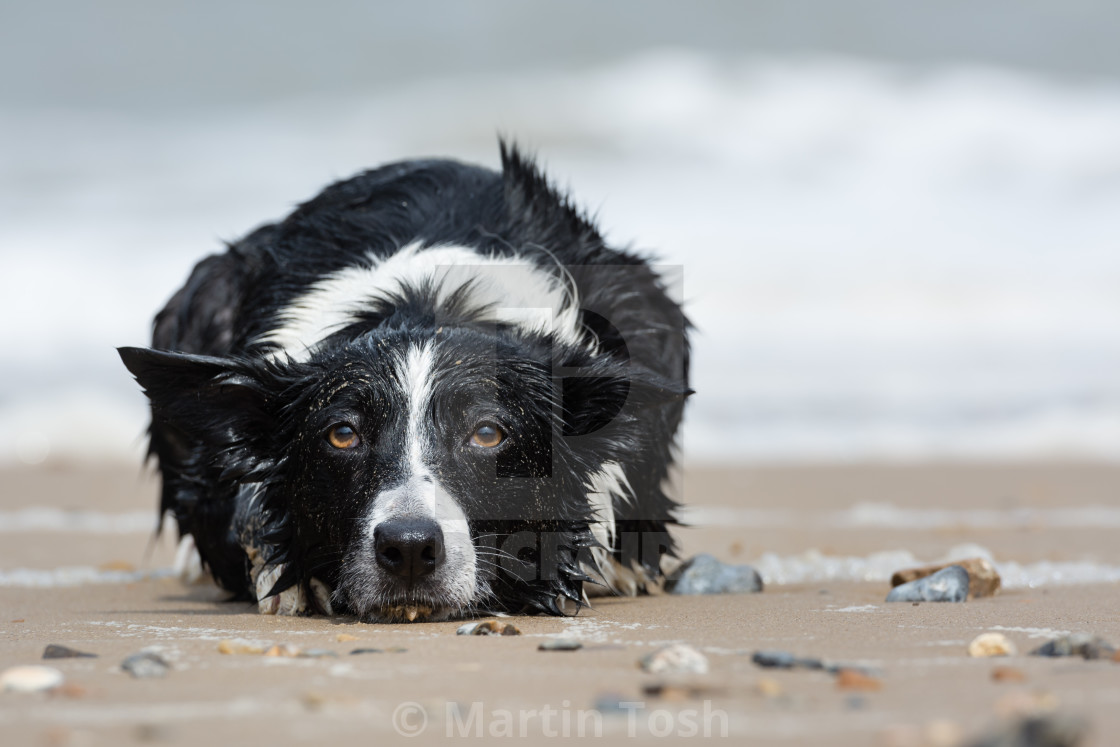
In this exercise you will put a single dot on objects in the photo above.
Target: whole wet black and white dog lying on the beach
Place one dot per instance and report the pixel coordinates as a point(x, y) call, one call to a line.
point(431, 391)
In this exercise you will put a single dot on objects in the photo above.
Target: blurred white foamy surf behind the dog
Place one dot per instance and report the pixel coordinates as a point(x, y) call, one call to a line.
point(883, 262)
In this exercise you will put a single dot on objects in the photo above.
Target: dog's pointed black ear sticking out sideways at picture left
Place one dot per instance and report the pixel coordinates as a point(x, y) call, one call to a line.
point(228, 404)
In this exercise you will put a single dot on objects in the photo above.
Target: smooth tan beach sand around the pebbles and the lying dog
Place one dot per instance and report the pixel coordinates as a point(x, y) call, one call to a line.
point(929, 690)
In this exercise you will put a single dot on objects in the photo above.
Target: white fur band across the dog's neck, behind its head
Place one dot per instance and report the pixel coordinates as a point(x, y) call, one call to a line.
point(508, 290)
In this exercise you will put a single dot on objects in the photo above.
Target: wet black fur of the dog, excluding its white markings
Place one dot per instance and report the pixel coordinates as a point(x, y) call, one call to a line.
point(229, 424)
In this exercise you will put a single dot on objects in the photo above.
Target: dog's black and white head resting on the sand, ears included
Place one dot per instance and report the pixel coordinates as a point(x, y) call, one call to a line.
point(421, 474)
